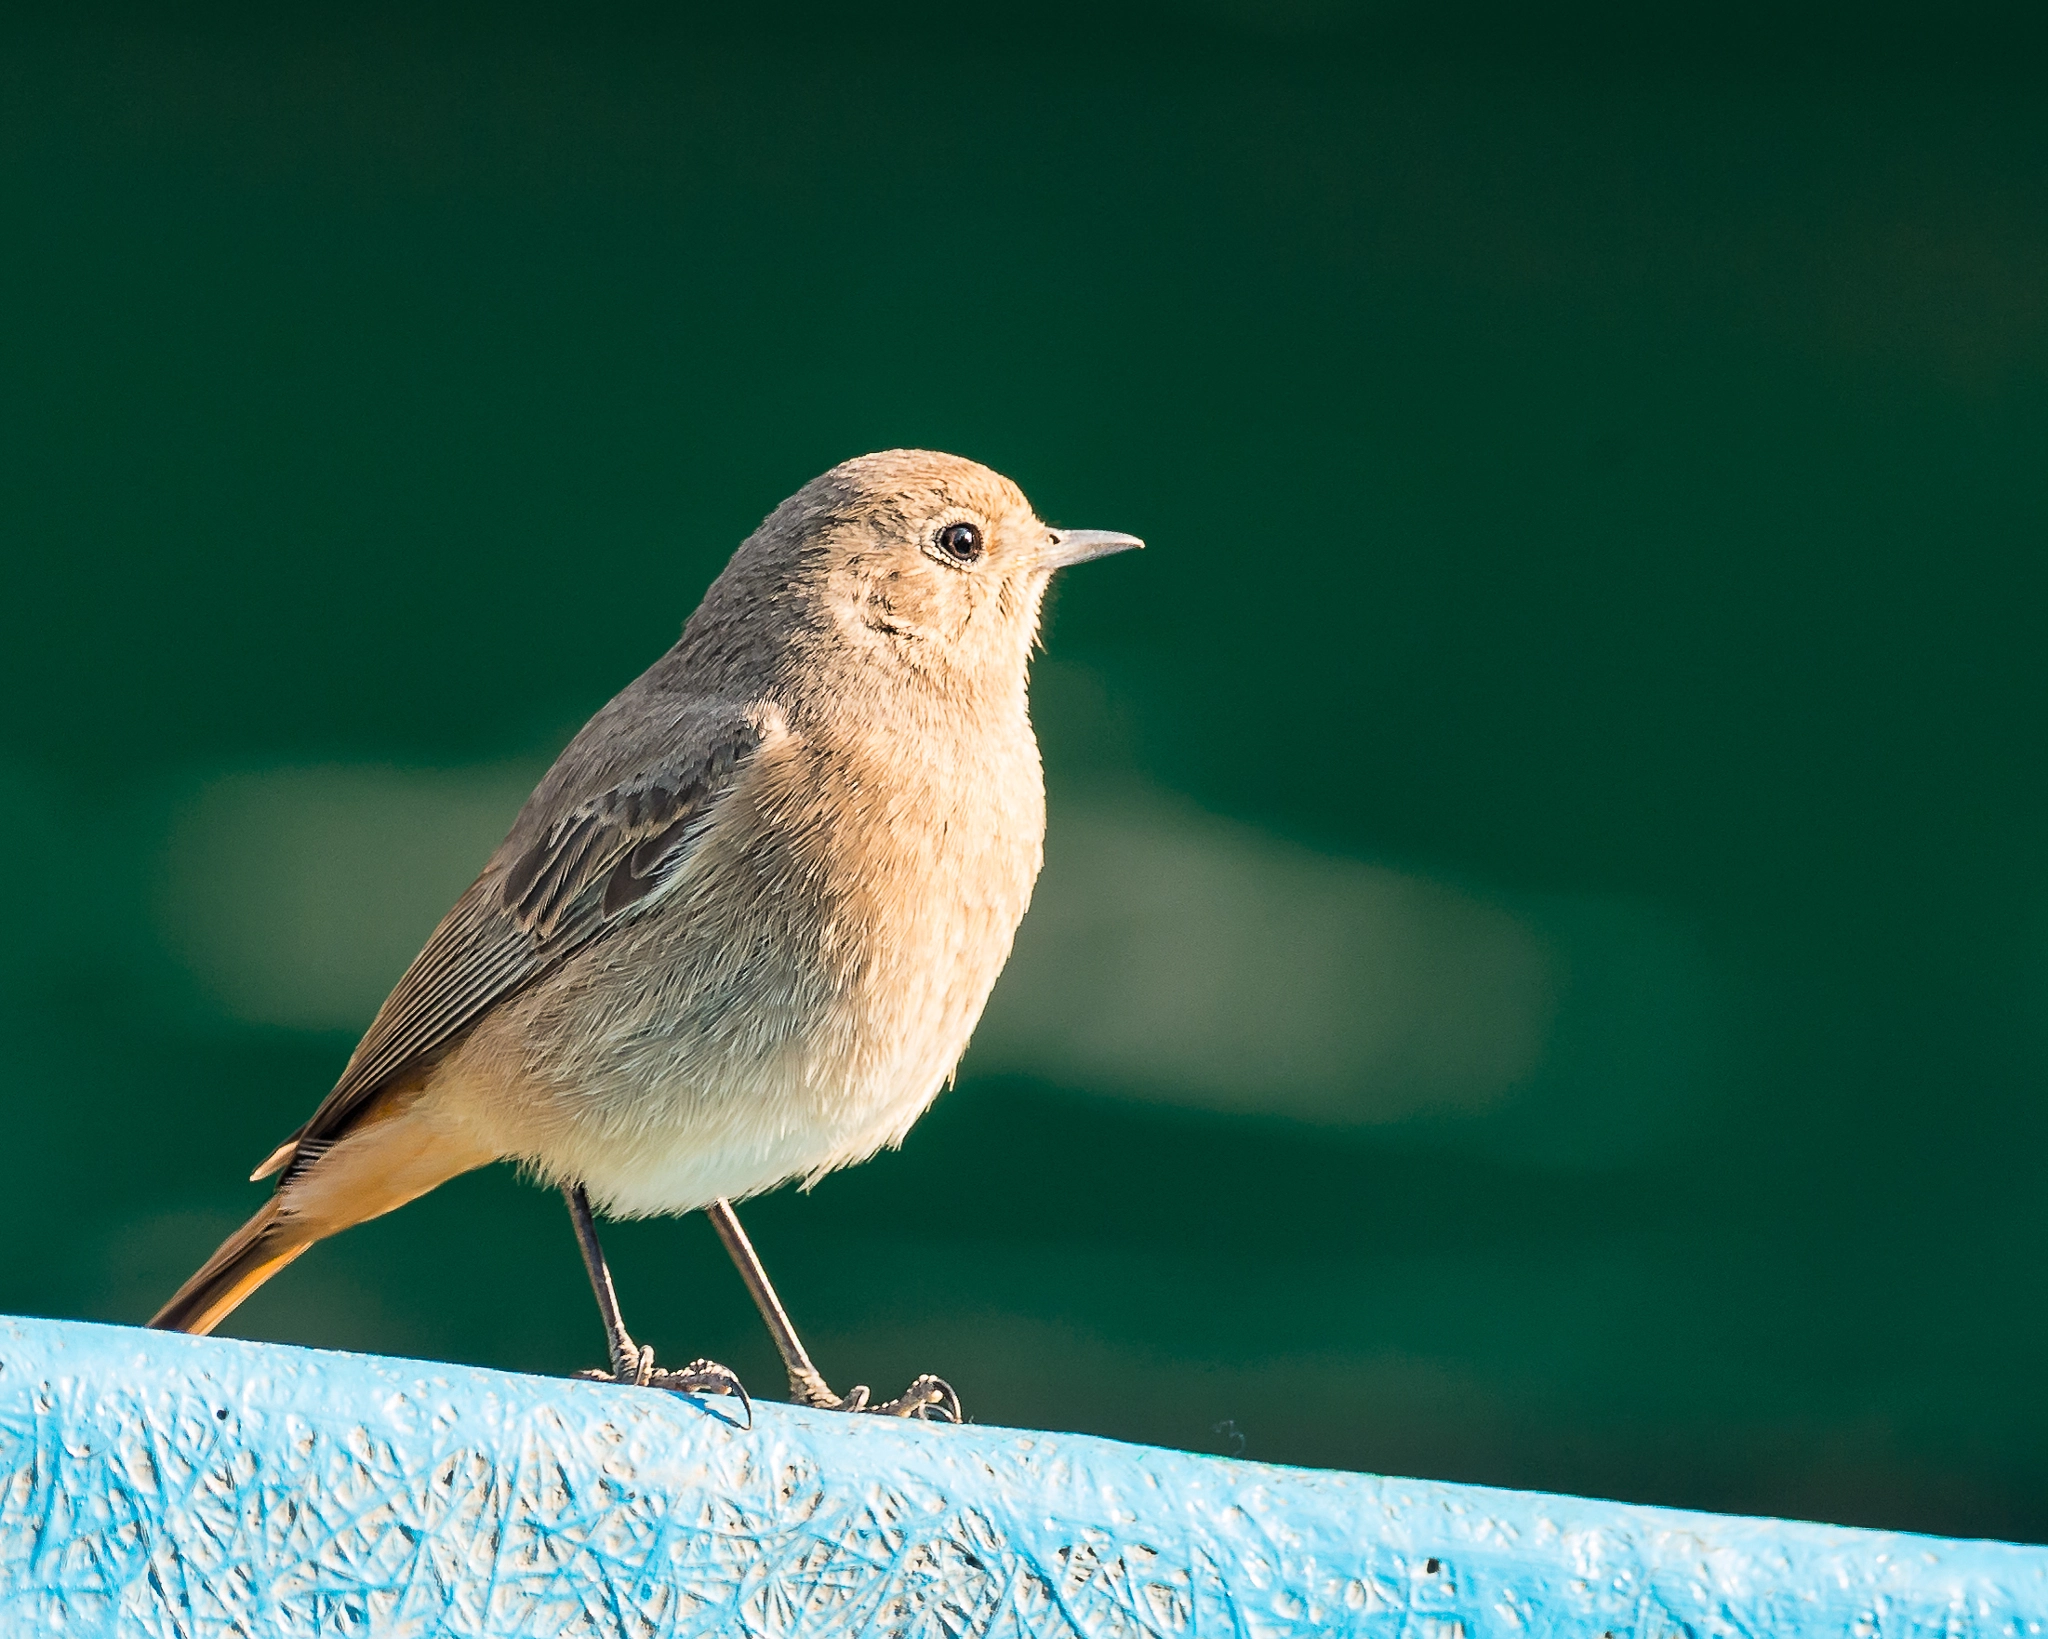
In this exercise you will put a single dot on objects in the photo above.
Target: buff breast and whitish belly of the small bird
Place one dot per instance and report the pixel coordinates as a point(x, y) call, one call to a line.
point(806, 989)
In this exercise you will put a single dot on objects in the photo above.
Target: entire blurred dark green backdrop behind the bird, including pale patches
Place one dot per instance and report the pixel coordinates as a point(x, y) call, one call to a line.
point(1543, 962)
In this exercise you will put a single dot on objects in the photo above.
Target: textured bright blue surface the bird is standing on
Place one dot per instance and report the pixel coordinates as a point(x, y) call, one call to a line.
point(179, 1486)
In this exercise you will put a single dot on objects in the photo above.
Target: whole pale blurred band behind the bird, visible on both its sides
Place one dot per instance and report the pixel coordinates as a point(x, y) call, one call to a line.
point(1170, 958)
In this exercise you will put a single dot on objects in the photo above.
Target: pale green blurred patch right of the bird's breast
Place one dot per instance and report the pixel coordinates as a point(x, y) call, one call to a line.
point(1183, 958)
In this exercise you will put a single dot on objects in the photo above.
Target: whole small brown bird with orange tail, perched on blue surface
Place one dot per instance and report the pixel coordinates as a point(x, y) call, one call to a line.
point(746, 923)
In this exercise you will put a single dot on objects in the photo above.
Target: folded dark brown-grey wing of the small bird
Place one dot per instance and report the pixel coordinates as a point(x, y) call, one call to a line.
point(572, 870)
